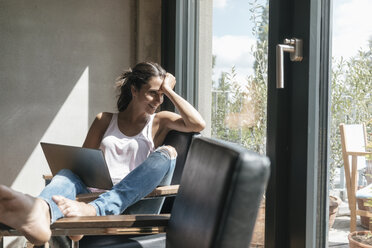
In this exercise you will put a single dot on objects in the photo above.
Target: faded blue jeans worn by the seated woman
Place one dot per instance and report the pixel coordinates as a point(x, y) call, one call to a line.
point(156, 170)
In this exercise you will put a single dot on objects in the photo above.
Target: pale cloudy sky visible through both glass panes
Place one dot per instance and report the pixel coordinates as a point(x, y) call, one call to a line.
point(233, 39)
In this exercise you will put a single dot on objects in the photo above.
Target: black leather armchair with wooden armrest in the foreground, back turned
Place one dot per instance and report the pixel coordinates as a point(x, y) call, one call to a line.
point(216, 206)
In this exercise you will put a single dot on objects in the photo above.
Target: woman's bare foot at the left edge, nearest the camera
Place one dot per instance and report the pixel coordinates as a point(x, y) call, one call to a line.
point(27, 214)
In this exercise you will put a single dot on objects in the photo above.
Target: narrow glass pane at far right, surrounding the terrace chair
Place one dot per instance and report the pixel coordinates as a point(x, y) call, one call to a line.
point(350, 104)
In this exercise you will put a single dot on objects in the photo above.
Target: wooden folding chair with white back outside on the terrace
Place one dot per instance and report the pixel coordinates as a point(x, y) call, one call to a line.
point(354, 142)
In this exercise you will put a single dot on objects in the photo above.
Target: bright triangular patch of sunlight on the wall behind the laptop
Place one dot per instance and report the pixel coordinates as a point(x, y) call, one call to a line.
point(69, 127)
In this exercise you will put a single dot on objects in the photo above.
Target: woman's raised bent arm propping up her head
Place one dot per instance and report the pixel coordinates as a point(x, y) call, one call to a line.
point(189, 119)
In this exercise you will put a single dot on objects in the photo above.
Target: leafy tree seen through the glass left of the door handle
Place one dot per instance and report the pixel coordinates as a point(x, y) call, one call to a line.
point(233, 102)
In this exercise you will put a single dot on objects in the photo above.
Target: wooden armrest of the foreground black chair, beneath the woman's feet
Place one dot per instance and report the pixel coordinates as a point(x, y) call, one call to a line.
point(104, 225)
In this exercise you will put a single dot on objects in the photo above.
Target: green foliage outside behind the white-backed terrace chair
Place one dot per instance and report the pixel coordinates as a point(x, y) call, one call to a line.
point(350, 100)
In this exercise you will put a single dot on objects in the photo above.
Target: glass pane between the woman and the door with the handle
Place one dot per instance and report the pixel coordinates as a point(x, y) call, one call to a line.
point(239, 80)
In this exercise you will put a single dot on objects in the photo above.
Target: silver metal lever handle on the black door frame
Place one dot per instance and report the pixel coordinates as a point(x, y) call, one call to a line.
point(294, 47)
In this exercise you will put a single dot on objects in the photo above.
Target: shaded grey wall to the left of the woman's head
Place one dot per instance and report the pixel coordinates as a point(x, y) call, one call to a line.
point(46, 48)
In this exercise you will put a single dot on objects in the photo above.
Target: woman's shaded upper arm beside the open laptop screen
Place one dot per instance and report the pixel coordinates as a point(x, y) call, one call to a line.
point(97, 130)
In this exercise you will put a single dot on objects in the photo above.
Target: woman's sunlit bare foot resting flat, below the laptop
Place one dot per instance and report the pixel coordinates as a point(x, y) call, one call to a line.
point(71, 208)
